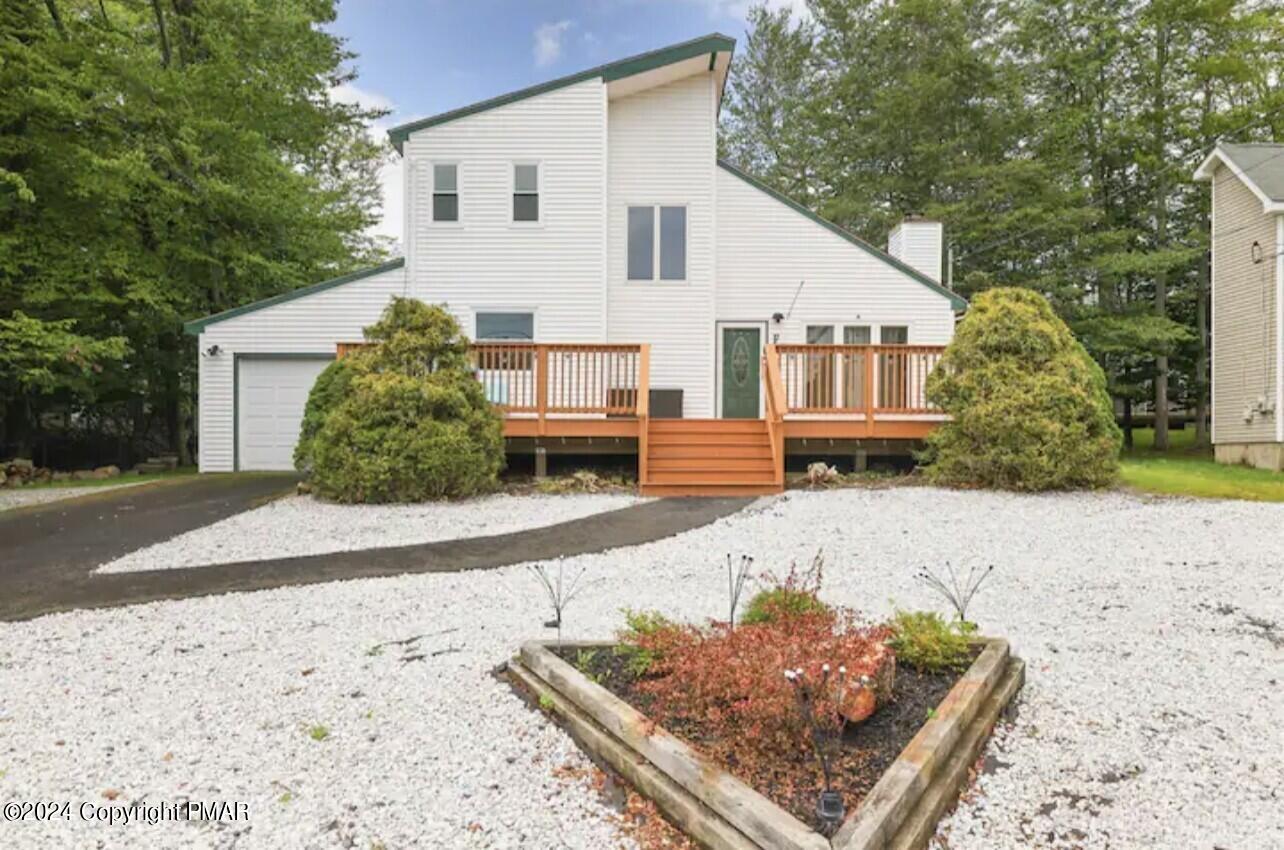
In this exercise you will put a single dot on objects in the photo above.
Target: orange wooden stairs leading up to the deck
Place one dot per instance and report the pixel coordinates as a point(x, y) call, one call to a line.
point(709, 458)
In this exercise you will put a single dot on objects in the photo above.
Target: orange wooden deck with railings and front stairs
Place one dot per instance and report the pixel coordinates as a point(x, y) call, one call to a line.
point(810, 394)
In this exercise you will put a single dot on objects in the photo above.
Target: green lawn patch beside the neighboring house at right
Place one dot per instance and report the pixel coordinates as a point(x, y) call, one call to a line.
point(1184, 471)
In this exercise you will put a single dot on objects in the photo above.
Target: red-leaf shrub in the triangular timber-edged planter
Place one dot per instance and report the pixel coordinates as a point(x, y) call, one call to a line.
point(730, 685)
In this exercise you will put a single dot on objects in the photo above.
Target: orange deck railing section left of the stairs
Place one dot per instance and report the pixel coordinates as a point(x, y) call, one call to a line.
point(560, 378)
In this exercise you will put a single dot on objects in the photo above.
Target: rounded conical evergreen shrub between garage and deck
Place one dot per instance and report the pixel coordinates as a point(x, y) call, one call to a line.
point(414, 423)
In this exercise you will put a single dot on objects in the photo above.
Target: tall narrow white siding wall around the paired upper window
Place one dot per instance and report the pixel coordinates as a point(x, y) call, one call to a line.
point(663, 150)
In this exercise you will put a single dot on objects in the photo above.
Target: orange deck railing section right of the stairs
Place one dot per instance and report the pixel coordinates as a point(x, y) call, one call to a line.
point(857, 379)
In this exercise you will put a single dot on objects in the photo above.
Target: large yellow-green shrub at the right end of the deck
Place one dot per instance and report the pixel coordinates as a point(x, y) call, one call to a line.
point(1029, 408)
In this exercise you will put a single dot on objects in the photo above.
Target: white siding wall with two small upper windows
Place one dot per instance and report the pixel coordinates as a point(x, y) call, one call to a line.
point(486, 261)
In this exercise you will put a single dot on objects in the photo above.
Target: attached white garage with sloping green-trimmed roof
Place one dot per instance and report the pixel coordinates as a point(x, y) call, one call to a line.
point(259, 364)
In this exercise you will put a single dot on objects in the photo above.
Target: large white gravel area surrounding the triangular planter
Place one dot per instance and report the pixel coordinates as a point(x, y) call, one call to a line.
point(1151, 717)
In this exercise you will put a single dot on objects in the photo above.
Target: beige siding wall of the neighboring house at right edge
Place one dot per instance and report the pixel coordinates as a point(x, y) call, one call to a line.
point(1246, 355)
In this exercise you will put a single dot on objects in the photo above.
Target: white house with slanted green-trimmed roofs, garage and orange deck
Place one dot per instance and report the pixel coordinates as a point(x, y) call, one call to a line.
point(591, 216)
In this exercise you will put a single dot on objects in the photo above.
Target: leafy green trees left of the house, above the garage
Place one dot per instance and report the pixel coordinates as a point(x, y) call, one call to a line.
point(153, 175)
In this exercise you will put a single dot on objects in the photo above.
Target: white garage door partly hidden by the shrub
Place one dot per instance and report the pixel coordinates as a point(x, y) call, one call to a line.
point(272, 394)
